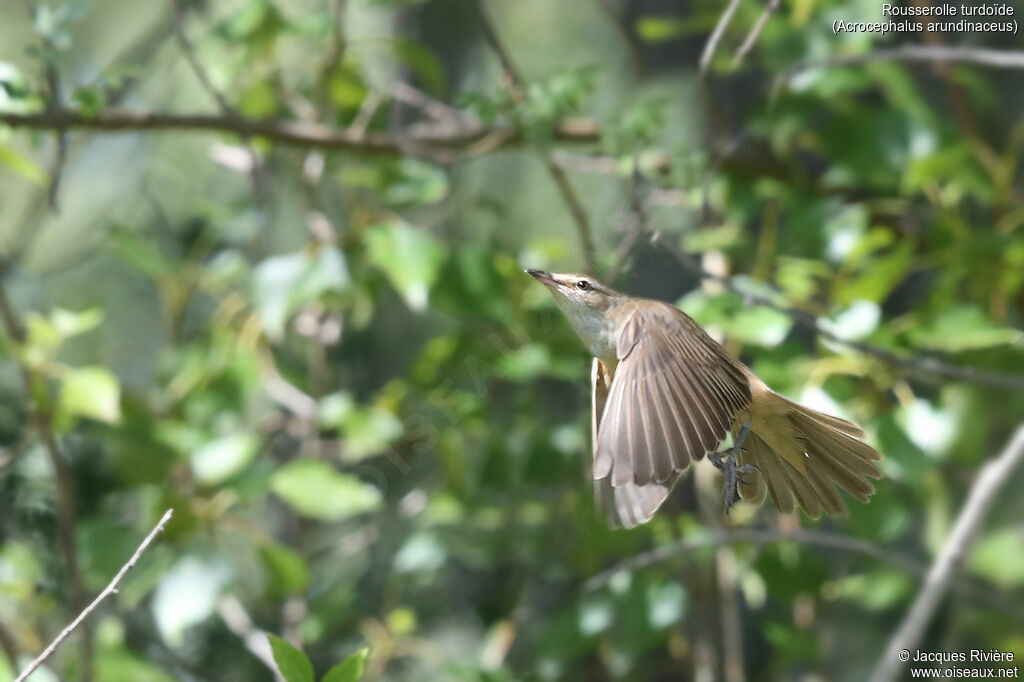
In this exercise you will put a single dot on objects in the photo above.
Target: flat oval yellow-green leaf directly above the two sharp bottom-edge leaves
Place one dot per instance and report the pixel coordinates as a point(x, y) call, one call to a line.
point(314, 489)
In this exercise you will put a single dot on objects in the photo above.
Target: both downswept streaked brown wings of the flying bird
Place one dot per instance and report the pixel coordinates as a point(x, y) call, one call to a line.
point(672, 398)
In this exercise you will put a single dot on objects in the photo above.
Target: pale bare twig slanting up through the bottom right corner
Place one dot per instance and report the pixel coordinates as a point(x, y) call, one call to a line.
point(984, 494)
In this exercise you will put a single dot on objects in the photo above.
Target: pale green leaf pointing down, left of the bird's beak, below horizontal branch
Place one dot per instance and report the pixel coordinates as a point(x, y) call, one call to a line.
point(411, 259)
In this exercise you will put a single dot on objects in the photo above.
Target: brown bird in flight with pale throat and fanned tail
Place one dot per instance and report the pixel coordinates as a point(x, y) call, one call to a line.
point(665, 394)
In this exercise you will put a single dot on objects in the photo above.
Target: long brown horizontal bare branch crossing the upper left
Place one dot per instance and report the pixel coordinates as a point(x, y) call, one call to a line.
point(429, 143)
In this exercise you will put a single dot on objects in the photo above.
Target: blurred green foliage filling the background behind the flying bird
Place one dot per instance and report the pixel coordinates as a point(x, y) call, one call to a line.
point(374, 430)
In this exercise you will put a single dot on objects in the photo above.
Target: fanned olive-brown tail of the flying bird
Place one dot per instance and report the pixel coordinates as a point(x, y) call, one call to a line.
point(803, 454)
